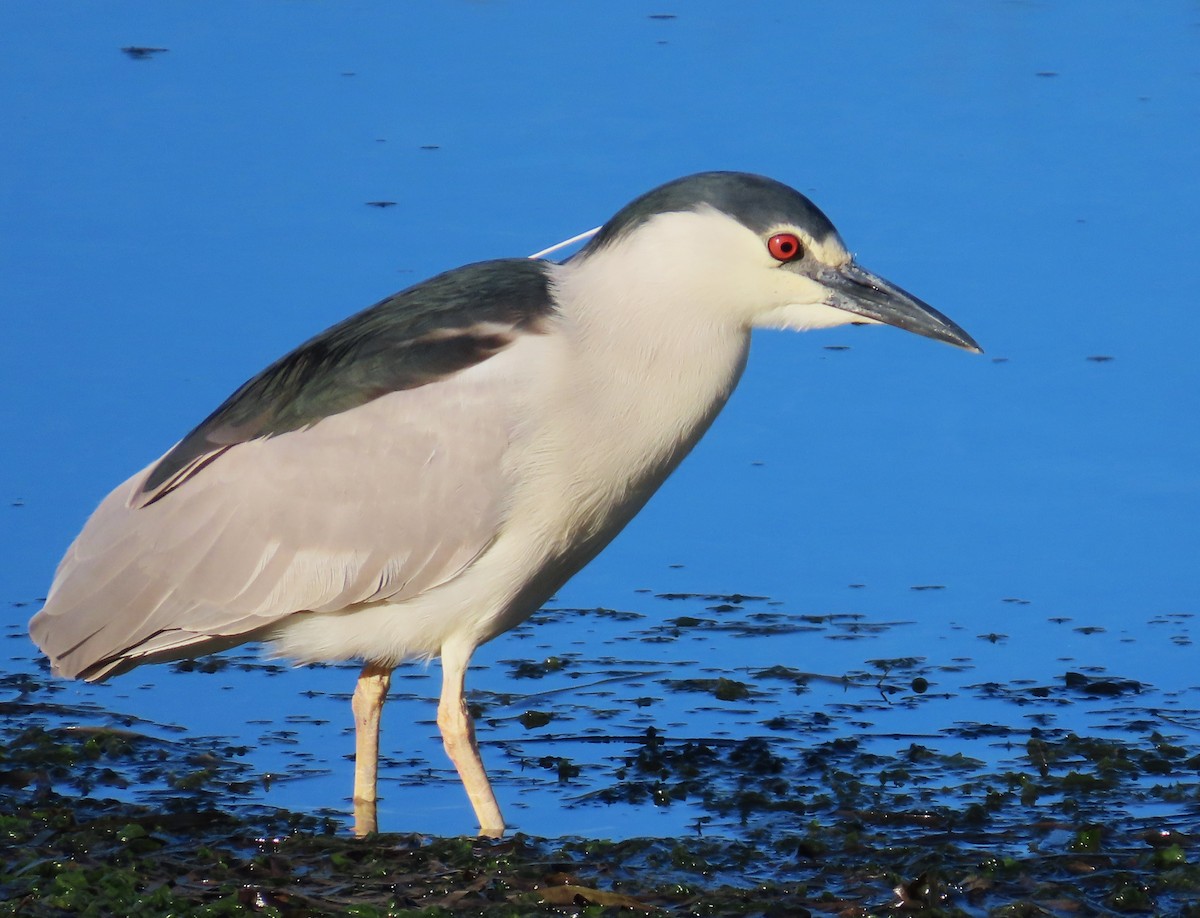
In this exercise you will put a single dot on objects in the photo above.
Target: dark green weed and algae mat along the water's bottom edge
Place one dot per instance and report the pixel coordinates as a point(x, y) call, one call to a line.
point(842, 829)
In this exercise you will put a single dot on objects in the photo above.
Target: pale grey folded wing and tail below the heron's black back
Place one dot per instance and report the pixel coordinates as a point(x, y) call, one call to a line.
point(381, 502)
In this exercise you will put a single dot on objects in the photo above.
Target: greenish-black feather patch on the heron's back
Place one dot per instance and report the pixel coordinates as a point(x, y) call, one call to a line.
point(418, 337)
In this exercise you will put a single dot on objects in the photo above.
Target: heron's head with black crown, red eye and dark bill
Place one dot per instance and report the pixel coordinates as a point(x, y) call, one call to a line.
point(749, 249)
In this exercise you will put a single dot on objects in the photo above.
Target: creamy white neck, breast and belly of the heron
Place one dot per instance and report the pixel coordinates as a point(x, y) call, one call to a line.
point(607, 404)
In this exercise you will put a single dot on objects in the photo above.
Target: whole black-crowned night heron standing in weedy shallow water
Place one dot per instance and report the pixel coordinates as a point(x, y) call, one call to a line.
point(424, 476)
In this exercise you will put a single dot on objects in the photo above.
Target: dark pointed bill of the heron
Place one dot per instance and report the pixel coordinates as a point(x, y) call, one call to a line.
point(859, 291)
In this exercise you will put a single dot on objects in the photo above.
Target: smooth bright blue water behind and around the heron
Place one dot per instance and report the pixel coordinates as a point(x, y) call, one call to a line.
point(171, 225)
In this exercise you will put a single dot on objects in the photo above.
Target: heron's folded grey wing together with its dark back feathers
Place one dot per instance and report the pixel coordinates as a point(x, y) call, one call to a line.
point(392, 491)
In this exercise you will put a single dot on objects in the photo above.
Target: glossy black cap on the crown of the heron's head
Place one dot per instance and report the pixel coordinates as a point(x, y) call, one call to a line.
point(755, 201)
